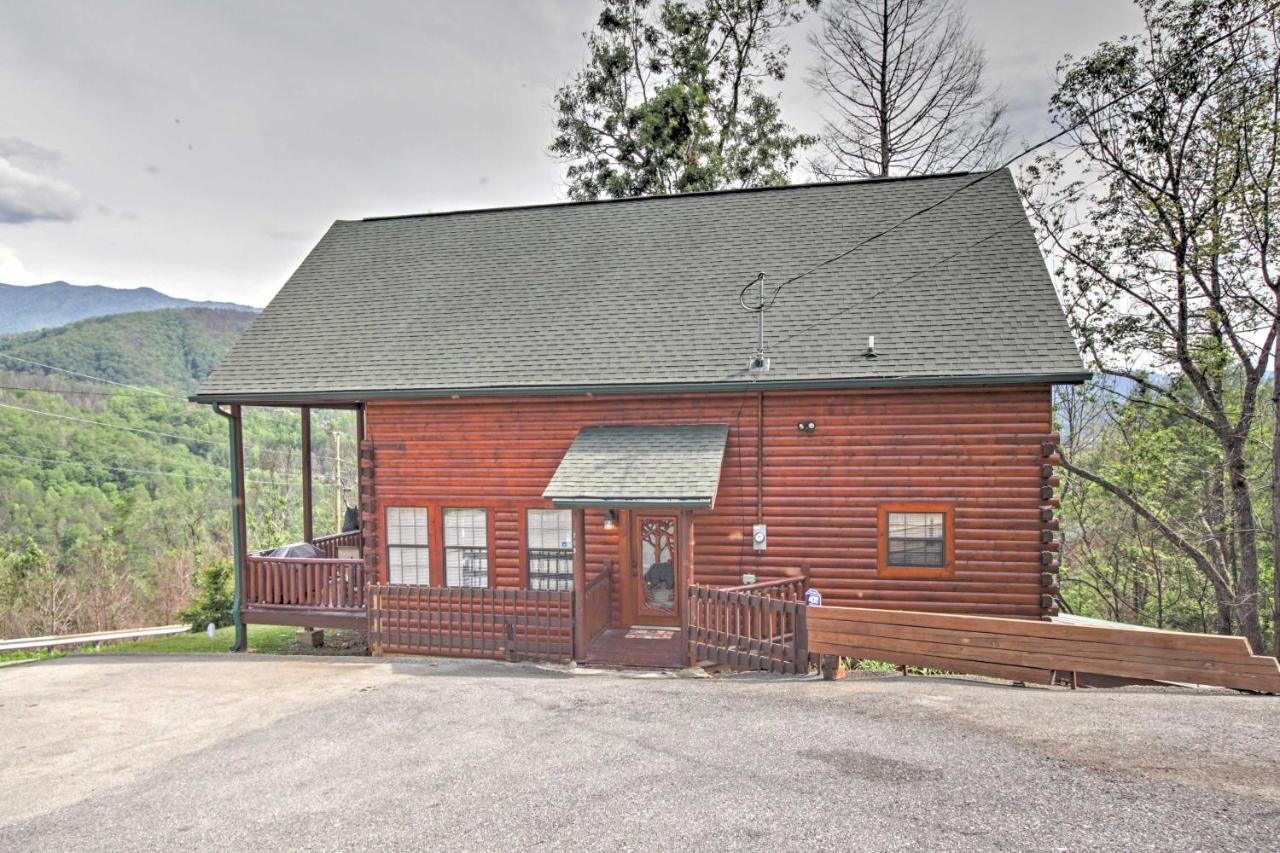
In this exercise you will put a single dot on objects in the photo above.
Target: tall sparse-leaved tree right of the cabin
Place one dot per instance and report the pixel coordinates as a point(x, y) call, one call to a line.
point(1169, 275)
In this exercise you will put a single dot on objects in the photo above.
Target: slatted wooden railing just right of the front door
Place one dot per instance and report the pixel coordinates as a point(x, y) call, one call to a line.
point(761, 630)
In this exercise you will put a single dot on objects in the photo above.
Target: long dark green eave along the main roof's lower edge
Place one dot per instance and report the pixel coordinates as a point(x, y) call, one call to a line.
point(305, 398)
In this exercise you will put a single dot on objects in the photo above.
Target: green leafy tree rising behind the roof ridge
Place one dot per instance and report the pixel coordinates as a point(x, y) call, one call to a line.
point(673, 99)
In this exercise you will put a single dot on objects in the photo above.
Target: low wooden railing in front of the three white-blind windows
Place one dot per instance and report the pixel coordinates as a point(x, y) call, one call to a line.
point(467, 622)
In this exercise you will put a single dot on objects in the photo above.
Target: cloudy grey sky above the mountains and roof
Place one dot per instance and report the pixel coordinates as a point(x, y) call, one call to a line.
point(203, 148)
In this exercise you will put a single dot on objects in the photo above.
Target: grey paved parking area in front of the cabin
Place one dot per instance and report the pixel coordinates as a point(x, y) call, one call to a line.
point(240, 752)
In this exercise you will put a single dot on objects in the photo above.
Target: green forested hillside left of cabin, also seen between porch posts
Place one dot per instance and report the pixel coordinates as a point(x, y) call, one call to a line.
point(113, 498)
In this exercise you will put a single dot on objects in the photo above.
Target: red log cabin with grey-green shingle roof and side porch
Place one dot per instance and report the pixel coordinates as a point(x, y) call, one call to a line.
point(569, 416)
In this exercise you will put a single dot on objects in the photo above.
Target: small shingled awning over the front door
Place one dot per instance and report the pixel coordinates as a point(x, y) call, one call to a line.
point(642, 467)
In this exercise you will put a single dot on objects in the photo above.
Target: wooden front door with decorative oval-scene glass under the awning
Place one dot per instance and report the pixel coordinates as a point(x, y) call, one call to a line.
point(657, 576)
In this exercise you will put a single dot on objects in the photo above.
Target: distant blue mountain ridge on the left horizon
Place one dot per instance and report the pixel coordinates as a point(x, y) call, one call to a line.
point(44, 307)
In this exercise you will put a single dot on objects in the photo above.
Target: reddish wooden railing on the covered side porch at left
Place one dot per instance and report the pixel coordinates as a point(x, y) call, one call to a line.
point(304, 583)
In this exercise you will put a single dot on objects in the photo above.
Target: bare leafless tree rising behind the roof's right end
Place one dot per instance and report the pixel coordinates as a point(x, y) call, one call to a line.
point(903, 84)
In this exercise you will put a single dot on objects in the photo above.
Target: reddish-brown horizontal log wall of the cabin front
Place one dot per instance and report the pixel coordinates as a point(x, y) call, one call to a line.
point(981, 450)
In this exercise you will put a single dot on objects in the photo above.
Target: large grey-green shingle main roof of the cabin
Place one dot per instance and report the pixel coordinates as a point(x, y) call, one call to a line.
point(643, 295)
